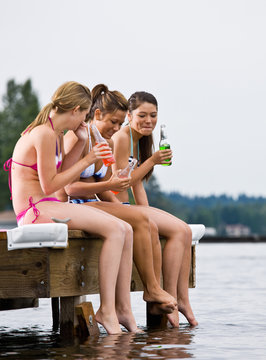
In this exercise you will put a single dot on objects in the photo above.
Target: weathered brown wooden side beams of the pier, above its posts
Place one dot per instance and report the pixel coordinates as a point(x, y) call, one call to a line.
point(48, 272)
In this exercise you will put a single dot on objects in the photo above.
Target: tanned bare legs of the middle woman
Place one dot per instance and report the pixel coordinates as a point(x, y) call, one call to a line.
point(142, 250)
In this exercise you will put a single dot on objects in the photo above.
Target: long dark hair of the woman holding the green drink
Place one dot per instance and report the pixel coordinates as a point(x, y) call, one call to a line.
point(146, 145)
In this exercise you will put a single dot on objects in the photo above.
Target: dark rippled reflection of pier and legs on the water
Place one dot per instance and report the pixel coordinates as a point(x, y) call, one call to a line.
point(157, 344)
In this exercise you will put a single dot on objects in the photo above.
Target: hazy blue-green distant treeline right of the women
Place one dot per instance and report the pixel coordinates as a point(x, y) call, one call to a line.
point(212, 211)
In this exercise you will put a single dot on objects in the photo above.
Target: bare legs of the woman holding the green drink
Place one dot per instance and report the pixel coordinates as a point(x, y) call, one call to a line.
point(176, 260)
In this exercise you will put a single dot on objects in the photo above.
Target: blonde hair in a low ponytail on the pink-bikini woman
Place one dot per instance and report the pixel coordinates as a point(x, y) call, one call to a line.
point(66, 98)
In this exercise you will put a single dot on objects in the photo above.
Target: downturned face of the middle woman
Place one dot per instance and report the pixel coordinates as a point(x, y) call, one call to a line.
point(110, 123)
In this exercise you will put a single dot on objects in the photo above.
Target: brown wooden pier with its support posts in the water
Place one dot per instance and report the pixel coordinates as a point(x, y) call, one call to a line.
point(64, 275)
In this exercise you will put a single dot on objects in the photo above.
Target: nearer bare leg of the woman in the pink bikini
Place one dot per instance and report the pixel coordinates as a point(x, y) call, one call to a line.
point(113, 231)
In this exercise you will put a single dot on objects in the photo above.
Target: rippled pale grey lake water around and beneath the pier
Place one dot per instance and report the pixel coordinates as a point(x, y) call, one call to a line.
point(229, 303)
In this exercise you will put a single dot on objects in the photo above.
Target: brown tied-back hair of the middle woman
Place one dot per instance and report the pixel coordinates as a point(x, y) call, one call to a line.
point(106, 101)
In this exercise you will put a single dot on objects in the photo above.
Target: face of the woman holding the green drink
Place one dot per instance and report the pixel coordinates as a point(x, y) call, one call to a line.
point(144, 118)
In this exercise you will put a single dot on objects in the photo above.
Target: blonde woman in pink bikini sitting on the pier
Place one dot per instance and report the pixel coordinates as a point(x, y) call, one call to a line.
point(39, 168)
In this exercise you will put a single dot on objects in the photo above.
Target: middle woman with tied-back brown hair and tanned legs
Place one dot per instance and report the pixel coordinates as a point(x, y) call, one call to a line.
point(107, 114)
